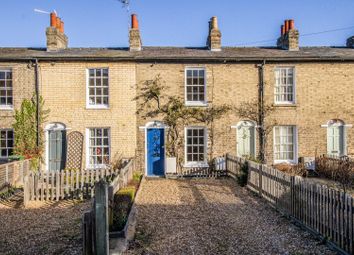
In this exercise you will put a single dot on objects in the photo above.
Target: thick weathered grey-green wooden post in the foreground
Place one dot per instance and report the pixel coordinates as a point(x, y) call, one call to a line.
point(101, 218)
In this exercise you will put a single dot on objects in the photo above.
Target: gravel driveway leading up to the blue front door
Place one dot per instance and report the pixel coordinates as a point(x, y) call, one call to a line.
point(213, 217)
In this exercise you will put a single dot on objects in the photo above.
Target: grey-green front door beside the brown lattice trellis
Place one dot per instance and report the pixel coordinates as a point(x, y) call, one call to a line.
point(56, 149)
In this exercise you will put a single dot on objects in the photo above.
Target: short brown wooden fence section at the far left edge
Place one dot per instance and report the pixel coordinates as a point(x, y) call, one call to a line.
point(13, 173)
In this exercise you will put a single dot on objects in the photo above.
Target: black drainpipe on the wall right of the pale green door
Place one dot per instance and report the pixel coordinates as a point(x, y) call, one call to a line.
point(261, 112)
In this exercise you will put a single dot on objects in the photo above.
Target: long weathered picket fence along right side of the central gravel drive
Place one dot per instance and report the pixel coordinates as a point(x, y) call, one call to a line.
point(323, 210)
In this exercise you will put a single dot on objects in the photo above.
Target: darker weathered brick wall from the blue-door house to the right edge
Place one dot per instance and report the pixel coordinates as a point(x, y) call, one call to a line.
point(323, 92)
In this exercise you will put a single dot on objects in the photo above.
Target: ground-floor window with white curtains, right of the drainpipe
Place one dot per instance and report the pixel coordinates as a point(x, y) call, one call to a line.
point(284, 144)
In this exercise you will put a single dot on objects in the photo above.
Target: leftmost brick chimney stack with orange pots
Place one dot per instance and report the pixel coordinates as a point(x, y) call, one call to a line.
point(56, 39)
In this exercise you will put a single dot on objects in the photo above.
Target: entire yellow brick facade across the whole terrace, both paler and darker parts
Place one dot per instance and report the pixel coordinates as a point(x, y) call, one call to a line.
point(324, 91)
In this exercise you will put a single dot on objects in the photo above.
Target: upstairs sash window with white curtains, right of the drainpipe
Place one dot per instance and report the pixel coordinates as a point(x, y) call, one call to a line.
point(284, 86)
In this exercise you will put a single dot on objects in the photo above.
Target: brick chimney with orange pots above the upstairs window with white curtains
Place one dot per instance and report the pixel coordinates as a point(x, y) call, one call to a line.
point(289, 38)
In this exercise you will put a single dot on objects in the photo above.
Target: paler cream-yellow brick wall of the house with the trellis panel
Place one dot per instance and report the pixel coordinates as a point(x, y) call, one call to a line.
point(63, 86)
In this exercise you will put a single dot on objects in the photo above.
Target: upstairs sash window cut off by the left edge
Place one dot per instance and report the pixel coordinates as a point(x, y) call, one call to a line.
point(6, 98)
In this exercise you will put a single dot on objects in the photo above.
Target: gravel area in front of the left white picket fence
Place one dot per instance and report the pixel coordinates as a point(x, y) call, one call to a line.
point(42, 228)
